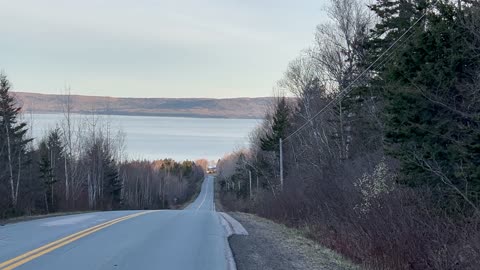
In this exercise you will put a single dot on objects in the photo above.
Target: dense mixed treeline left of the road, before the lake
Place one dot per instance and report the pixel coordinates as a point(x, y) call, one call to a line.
point(81, 165)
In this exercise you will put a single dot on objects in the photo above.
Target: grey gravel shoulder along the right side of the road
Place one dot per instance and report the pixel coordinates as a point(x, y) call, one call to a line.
point(274, 246)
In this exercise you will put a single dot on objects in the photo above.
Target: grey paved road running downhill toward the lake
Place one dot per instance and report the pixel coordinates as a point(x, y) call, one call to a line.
point(193, 238)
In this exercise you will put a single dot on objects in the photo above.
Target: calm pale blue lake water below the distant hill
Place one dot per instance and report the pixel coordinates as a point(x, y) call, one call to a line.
point(180, 138)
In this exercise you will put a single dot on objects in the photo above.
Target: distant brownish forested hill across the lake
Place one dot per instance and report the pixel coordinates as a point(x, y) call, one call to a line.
point(187, 107)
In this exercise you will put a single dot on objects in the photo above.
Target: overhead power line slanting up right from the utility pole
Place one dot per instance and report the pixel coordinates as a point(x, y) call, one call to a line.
point(347, 89)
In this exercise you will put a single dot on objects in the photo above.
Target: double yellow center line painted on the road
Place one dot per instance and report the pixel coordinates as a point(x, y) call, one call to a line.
point(32, 254)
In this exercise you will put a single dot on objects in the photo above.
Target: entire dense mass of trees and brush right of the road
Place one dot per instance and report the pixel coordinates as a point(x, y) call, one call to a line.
point(388, 173)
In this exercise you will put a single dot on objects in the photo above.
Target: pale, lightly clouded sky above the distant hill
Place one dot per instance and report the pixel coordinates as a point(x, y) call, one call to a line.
point(154, 48)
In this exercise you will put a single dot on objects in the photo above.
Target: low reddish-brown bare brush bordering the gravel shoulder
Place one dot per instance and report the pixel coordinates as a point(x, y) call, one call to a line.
point(401, 228)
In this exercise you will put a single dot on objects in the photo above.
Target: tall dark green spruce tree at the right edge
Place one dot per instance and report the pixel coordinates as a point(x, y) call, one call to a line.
point(430, 124)
